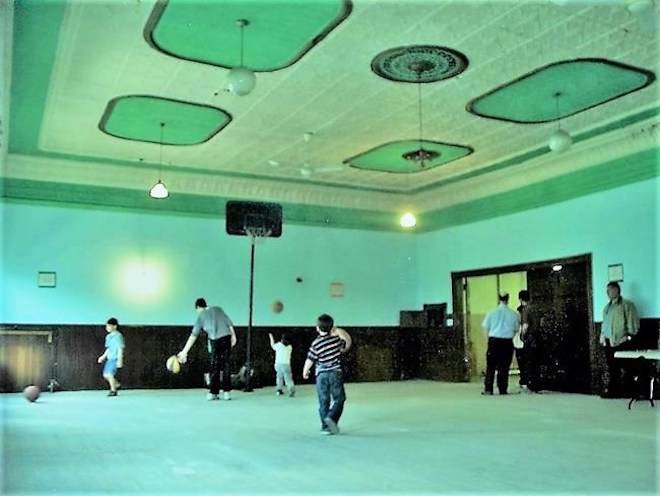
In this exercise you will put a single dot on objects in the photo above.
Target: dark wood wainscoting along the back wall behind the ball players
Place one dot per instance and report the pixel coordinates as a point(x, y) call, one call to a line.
point(379, 354)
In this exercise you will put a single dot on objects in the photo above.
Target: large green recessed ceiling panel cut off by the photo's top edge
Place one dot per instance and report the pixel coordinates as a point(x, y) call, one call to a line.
point(278, 34)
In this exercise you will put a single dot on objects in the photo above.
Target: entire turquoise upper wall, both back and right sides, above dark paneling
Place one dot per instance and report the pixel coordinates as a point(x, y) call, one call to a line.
point(148, 268)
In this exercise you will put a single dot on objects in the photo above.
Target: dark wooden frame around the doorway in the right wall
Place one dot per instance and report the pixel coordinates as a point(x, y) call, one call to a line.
point(459, 296)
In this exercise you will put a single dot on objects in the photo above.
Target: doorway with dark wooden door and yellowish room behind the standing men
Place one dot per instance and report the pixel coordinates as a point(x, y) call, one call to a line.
point(561, 293)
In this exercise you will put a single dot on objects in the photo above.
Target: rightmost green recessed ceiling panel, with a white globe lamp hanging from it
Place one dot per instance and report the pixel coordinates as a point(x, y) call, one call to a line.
point(559, 90)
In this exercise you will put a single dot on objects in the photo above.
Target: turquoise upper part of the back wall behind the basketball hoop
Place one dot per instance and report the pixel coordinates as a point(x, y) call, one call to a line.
point(149, 268)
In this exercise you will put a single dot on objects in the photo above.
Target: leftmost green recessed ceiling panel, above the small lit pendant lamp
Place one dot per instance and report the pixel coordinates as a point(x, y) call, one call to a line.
point(140, 118)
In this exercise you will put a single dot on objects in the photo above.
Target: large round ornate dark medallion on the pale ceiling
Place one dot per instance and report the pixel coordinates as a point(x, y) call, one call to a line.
point(419, 63)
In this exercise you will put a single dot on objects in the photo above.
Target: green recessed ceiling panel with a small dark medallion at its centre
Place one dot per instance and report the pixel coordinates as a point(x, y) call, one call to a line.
point(403, 157)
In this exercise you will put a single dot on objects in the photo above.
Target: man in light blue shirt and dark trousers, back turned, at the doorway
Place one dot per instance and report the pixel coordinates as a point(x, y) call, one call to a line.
point(502, 324)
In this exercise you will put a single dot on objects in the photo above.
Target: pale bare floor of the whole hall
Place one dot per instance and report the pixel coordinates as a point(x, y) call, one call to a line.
point(398, 438)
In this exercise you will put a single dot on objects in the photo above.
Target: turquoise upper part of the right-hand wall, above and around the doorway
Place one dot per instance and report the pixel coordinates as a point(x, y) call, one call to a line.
point(620, 225)
